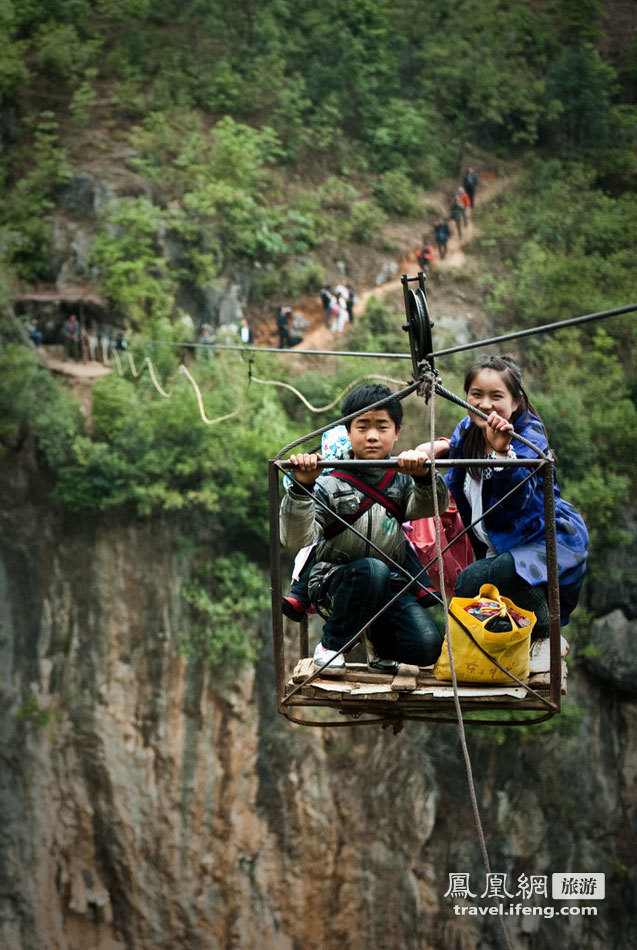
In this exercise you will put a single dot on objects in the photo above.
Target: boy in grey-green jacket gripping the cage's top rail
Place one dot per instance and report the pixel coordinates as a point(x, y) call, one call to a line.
point(350, 581)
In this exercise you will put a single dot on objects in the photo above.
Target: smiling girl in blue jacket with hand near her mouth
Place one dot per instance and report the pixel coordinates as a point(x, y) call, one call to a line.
point(509, 543)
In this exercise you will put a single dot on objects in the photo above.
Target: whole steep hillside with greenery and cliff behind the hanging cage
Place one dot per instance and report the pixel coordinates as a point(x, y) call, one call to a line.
point(167, 168)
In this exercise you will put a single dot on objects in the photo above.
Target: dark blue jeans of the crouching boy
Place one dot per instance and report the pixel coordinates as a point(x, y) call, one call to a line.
point(352, 594)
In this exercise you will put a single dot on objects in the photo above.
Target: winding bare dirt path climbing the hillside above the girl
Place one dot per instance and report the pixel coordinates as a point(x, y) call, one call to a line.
point(322, 338)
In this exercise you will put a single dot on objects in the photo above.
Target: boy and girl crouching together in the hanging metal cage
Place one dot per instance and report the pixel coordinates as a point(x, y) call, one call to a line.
point(352, 528)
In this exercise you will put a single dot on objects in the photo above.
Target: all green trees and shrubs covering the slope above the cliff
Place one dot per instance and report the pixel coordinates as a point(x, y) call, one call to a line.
point(258, 143)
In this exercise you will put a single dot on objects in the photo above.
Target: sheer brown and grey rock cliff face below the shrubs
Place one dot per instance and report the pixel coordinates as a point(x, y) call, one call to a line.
point(147, 803)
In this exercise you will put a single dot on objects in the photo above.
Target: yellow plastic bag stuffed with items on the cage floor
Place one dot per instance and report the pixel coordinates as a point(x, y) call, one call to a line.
point(510, 648)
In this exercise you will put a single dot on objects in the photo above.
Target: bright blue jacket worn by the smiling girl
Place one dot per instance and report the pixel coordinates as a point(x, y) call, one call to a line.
point(517, 525)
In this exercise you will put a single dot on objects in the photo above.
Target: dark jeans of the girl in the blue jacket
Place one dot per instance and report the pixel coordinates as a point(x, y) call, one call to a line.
point(500, 571)
